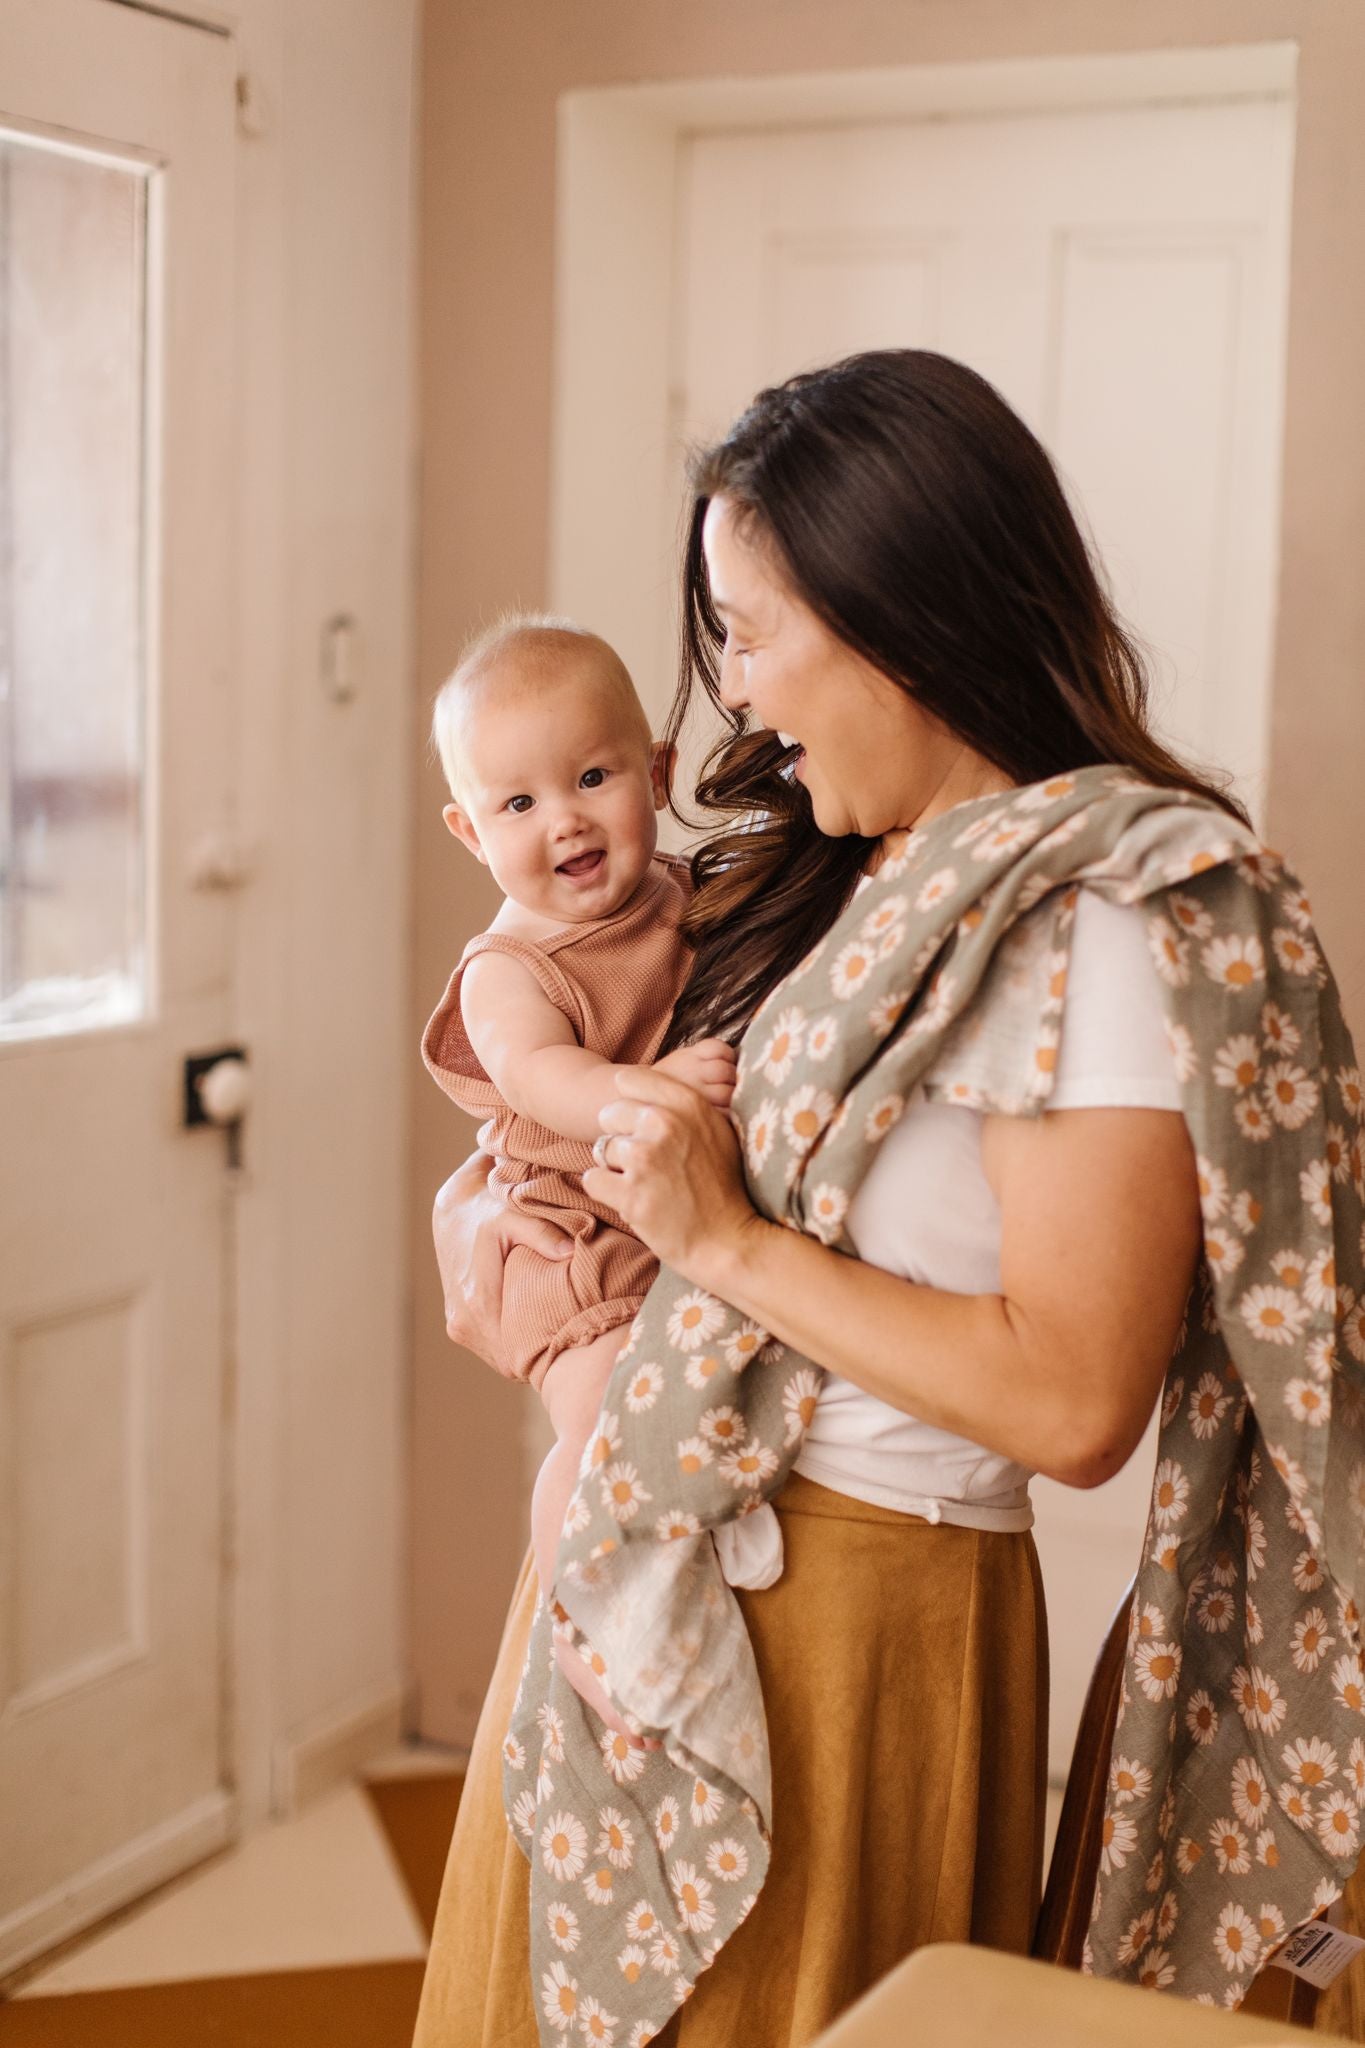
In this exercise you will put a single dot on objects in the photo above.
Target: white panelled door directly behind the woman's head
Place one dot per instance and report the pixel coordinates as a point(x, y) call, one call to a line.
point(1122, 278)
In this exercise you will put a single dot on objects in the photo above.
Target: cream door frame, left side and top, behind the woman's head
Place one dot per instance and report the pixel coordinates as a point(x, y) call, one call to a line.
point(613, 443)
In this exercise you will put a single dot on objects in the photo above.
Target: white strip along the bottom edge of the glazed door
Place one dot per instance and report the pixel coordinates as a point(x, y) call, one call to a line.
point(128, 1873)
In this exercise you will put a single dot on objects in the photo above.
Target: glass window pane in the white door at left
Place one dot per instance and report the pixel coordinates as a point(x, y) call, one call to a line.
point(73, 656)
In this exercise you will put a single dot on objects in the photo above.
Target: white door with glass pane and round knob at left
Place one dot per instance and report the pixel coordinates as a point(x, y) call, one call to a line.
point(116, 951)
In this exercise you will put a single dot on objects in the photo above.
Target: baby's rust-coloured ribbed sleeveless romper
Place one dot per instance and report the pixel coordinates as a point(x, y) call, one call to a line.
point(617, 982)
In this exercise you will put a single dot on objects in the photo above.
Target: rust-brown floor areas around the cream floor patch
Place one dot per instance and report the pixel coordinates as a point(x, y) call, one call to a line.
point(353, 2006)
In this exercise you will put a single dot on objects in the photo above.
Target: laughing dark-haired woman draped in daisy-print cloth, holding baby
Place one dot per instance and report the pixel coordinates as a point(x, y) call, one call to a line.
point(885, 579)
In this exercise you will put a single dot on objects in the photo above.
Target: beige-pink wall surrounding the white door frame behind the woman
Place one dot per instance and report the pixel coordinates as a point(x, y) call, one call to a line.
point(492, 77)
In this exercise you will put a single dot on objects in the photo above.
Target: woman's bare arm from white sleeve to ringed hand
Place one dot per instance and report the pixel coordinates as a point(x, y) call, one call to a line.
point(1100, 1236)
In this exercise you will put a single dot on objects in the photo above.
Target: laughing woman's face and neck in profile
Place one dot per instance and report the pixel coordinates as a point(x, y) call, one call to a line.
point(873, 759)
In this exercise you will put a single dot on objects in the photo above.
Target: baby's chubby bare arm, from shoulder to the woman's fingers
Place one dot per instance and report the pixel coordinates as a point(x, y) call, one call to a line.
point(529, 1052)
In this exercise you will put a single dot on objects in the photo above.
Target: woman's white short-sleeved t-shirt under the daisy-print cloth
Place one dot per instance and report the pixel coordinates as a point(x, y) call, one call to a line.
point(926, 1211)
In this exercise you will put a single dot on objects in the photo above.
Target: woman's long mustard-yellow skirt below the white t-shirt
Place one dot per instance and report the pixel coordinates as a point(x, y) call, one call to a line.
point(908, 1709)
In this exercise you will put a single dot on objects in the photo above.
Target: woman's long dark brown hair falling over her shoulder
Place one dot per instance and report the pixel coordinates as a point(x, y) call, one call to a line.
point(924, 523)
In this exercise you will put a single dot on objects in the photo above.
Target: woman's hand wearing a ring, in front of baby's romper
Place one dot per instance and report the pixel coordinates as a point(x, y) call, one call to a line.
point(672, 1172)
